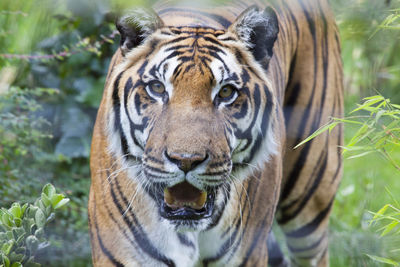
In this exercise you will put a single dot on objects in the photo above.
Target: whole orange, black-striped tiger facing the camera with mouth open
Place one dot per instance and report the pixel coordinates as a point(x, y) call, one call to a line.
point(192, 156)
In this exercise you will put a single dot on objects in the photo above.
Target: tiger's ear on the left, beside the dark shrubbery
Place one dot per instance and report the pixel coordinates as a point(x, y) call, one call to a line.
point(137, 26)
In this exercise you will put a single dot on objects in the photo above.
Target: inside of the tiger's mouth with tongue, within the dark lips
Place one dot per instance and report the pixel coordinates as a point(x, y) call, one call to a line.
point(184, 195)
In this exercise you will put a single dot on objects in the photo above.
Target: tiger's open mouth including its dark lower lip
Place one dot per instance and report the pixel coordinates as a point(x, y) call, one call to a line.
point(186, 202)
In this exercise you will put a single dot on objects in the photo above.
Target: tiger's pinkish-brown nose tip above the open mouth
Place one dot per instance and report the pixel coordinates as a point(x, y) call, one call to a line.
point(186, 162)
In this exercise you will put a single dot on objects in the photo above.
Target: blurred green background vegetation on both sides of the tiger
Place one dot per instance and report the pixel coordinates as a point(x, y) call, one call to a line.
point(48, 114)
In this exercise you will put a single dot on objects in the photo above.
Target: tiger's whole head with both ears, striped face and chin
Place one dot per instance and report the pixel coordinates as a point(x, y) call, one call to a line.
point(191, 111)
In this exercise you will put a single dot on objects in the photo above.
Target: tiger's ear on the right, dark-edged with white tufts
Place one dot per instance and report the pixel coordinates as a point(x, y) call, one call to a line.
point(258, 30)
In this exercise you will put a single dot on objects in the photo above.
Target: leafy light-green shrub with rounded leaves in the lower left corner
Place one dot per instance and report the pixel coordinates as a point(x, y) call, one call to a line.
point(22, 228)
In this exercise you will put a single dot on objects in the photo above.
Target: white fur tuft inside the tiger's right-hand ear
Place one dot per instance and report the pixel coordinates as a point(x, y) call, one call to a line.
point(245, 24)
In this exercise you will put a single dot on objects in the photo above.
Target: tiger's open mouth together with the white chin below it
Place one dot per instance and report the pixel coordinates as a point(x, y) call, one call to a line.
point(187, 207)
